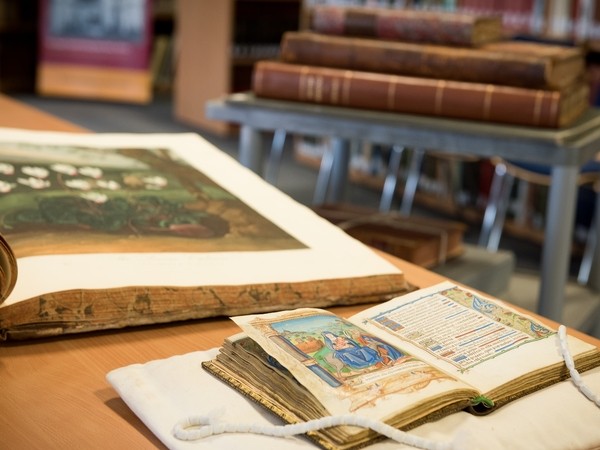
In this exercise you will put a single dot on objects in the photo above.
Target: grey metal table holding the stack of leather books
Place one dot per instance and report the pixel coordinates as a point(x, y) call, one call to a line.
point(566, 149)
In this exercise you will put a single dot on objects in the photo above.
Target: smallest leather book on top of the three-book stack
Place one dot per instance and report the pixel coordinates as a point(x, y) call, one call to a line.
point(441, 27)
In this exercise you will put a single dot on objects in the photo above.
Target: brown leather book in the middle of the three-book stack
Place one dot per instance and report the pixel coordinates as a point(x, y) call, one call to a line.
point(513, 63)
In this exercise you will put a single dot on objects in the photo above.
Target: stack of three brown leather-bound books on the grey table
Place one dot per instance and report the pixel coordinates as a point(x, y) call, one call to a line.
point(436, 63)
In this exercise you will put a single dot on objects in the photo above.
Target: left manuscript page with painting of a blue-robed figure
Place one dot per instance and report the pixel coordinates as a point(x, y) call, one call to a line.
point(347, 369)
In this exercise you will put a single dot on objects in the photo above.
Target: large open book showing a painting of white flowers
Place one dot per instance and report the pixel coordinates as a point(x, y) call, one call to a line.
point(118, 230)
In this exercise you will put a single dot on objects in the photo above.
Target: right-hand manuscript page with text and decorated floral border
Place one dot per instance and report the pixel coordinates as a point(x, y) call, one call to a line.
point(477, 339)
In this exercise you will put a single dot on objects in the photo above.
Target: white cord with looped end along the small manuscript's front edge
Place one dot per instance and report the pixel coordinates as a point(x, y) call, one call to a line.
point(198, 427)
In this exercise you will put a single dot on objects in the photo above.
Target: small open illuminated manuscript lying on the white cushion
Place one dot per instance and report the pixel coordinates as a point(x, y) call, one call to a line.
point(411, 360)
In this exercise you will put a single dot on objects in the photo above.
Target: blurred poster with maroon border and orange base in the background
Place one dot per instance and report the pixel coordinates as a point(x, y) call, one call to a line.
point(95, 49)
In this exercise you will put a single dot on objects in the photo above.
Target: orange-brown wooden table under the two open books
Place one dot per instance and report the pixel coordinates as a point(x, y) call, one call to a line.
point(53, 392)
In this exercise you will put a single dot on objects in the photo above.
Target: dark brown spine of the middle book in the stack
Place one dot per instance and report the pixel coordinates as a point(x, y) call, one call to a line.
point(451, 63)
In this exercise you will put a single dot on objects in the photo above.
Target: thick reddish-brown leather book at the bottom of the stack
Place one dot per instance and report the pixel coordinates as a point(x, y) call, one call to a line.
point(418, 95)
